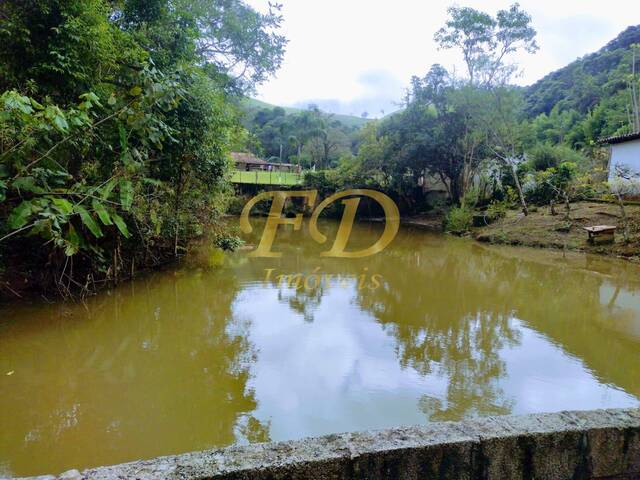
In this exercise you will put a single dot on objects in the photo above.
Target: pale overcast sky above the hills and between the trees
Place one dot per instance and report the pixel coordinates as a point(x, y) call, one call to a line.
point(351, 56)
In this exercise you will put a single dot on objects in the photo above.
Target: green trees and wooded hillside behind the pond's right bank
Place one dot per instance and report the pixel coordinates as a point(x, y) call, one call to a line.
point(503, 145)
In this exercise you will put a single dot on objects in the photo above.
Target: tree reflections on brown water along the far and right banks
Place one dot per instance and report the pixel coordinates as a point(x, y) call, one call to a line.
point(448, 303)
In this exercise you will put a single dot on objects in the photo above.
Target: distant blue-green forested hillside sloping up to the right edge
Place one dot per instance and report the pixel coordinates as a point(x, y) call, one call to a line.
point(584, 83)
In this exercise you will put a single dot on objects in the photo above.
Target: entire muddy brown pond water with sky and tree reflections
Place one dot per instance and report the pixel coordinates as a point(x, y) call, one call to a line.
point(211, 352)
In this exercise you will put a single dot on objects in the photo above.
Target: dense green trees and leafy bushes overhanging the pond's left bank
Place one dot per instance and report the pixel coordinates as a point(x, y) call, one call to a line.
point(115, 123)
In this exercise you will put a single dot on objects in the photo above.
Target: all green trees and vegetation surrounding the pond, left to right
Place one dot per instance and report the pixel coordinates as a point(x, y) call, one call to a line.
point(117, 118)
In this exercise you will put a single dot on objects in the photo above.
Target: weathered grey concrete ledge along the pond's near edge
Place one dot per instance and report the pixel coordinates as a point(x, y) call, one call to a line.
point(567, 445)
